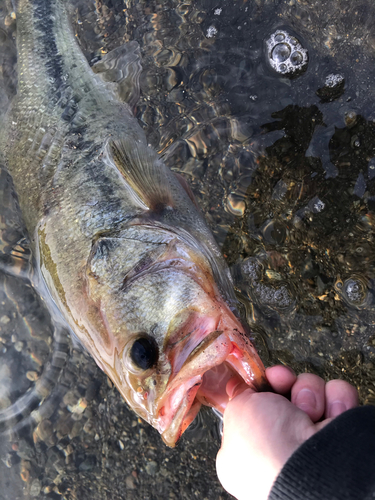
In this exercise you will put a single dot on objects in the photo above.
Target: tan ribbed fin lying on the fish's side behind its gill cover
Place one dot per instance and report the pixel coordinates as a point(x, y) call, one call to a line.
point(145, 173)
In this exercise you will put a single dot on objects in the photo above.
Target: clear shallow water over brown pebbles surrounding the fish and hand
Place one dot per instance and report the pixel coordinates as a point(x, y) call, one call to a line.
point(283, 167)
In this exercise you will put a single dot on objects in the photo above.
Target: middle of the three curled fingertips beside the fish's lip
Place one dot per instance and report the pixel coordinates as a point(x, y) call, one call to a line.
point(308, 394)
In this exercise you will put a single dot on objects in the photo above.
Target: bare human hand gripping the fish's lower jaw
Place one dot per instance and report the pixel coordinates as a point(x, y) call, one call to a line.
point(262, 430)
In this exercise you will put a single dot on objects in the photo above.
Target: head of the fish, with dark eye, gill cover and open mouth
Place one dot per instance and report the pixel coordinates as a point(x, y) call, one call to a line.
point(171, 342)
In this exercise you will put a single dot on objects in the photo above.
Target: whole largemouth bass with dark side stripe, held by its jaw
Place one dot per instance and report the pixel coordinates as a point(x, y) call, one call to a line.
point(123, 254)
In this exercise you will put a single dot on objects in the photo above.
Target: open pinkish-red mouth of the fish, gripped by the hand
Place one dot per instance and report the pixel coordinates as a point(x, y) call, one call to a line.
point(202, 379)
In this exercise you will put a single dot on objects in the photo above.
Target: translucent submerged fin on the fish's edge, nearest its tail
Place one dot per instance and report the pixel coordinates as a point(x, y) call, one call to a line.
point(122, 67)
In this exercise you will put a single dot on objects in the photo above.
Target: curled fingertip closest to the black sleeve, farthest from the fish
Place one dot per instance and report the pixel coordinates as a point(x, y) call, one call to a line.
point(340, 396)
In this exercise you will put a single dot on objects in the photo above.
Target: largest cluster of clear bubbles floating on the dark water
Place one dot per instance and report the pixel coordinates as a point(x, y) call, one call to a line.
point(285, 54)
